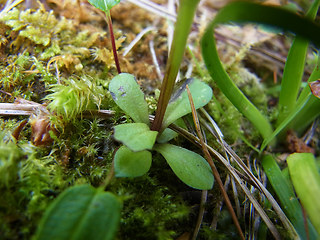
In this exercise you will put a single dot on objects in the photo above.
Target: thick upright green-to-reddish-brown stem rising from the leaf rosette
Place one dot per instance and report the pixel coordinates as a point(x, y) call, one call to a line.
point(183, 24)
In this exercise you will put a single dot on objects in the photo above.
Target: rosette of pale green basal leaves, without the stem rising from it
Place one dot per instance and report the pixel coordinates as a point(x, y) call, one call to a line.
point(134, 159)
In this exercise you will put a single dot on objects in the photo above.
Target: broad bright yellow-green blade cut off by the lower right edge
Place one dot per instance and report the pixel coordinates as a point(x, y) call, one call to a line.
point(306, 181)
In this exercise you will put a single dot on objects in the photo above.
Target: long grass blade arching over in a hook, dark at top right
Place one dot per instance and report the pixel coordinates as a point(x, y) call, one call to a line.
point(242, 12)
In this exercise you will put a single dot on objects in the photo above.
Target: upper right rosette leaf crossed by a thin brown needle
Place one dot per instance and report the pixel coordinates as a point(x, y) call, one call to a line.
point(179, 104)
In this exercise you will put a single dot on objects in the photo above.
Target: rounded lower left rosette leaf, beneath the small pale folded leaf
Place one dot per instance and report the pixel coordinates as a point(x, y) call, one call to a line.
point(131, 164)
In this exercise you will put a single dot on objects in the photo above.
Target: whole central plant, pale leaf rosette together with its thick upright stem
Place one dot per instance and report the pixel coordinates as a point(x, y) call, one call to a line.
point(139, 137)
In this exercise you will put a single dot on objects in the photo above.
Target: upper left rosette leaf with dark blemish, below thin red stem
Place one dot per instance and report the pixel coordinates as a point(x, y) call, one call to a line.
point(127, 94)
